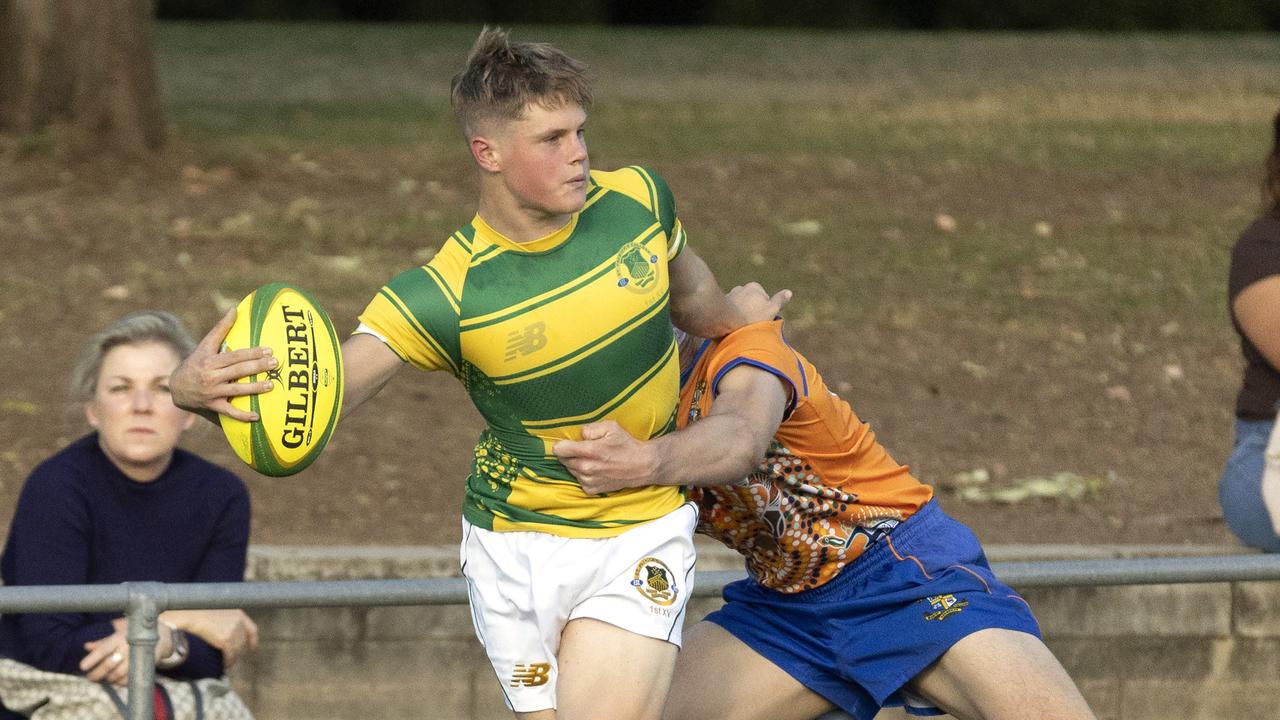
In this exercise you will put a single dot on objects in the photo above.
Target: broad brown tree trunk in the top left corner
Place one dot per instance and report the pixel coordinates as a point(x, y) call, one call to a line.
point(84, 63)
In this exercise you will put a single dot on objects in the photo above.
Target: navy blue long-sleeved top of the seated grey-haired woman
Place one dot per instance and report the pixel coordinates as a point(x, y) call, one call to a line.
point(80, 521)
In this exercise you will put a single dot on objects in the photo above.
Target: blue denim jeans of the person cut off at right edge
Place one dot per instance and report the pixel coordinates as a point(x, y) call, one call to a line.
point(1241, 489)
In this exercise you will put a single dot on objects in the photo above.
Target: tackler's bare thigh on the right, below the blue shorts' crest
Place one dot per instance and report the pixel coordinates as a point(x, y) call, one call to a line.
point(1000, 675)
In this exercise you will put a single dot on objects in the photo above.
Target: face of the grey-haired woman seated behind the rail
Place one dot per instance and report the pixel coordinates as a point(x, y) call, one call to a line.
point(138, 423)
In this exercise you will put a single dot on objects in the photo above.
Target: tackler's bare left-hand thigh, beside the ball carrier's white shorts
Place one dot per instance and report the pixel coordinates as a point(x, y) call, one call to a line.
point(720, 678)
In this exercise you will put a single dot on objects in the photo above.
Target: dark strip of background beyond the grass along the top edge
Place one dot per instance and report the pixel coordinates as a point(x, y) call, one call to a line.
point(904, 15)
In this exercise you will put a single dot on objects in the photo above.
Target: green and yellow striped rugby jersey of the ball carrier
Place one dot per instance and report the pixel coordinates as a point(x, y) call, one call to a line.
point(548, 336)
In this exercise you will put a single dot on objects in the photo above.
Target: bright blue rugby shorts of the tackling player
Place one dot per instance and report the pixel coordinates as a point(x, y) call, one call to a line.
point(867, 632)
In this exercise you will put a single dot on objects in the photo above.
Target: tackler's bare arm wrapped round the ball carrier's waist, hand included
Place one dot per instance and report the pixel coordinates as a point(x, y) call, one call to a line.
point(724, 448)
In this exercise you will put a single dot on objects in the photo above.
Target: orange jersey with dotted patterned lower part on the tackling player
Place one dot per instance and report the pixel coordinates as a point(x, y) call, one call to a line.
point(826, 486)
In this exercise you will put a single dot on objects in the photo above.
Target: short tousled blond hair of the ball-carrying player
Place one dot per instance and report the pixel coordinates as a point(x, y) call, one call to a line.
point(501, 79)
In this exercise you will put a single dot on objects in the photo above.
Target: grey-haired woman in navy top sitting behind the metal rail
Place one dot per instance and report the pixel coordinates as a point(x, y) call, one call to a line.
point(125, 504)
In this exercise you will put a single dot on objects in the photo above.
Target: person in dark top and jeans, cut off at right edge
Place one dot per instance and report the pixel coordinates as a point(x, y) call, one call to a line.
point(1254, 290)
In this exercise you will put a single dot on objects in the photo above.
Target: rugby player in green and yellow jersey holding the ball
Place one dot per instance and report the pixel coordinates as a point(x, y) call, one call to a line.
point(554, 308)
